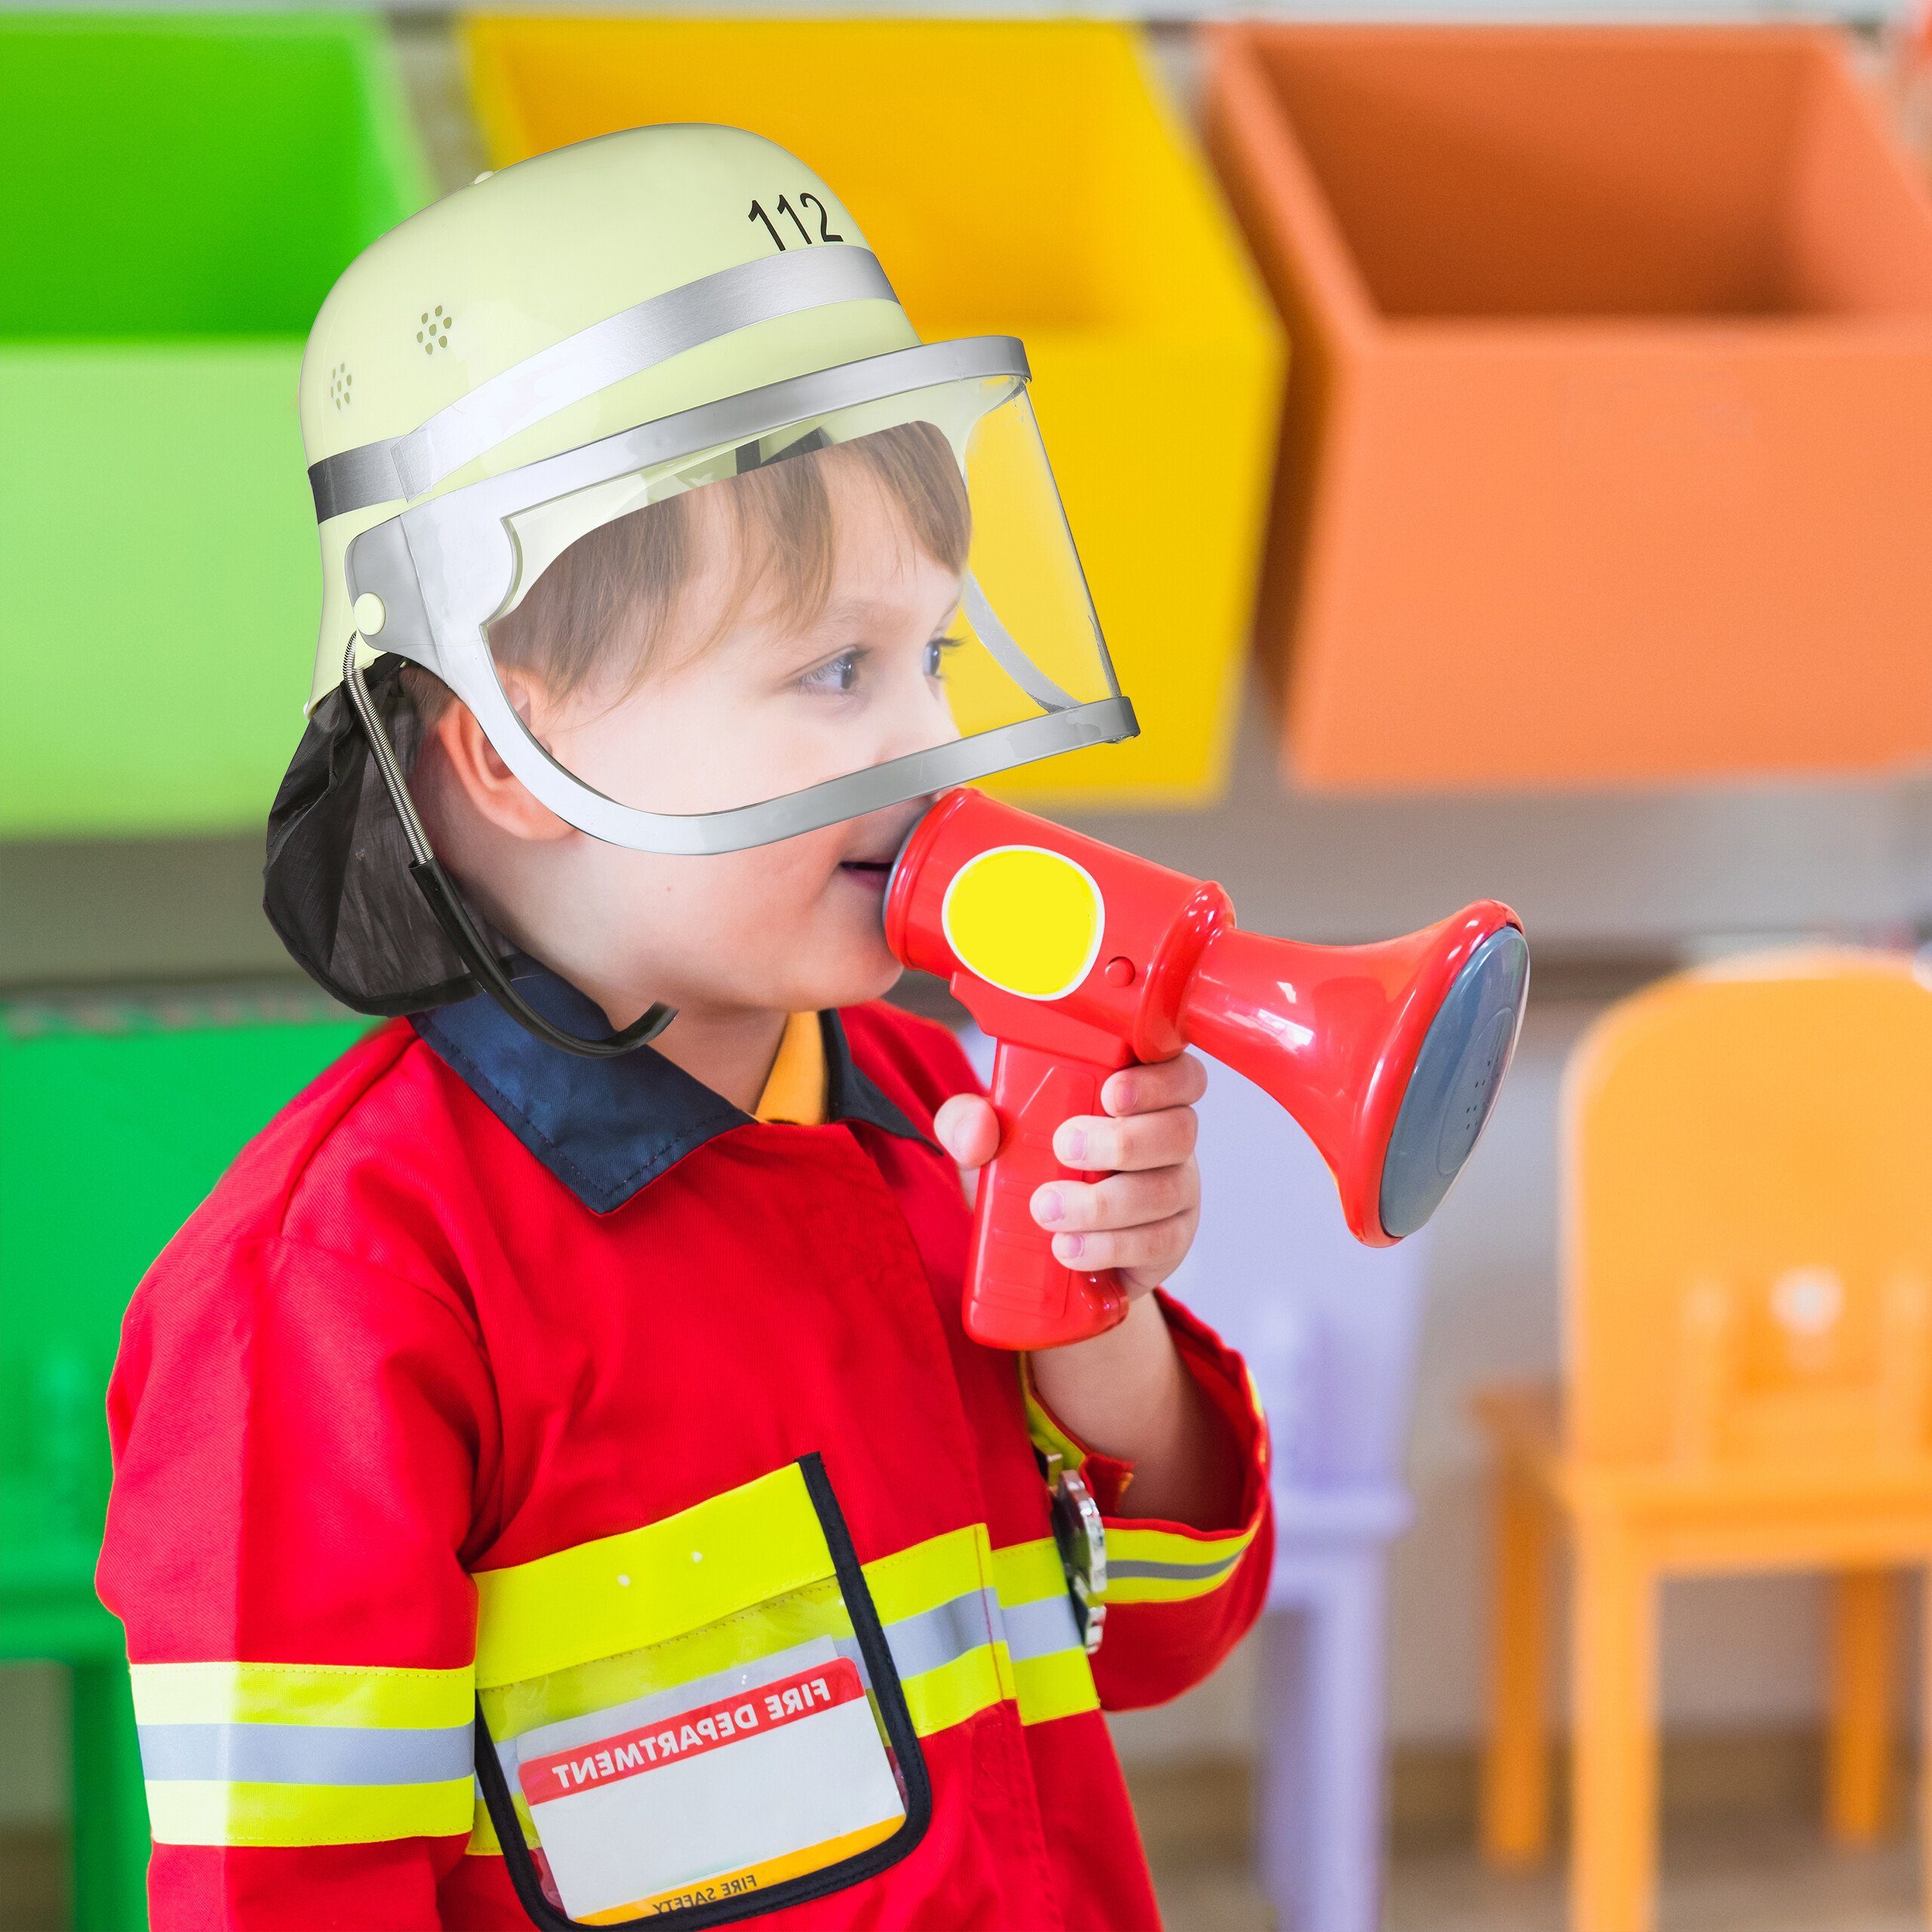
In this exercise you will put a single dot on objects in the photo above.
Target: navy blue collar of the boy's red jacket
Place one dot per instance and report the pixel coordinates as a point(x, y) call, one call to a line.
point(610, 1127)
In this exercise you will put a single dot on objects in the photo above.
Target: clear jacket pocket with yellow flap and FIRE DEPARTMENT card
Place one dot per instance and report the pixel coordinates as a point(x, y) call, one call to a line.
point(696, 1720)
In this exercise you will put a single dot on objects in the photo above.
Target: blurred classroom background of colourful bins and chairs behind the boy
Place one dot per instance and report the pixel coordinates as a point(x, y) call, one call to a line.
point(1502, 451)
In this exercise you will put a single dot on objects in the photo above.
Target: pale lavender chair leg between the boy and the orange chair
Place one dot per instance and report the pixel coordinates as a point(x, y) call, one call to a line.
point(1322, 1804)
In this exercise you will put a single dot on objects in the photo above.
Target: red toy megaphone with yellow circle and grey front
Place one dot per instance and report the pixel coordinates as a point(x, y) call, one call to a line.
point(1079, 959)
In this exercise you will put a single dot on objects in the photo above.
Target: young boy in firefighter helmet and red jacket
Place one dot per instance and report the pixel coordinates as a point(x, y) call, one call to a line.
point(554, 1485)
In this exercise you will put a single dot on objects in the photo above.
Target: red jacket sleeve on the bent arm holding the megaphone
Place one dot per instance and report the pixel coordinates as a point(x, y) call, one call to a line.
point(1178, 1597)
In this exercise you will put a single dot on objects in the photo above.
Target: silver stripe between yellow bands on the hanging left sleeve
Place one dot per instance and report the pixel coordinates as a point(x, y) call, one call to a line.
point(306, 1753)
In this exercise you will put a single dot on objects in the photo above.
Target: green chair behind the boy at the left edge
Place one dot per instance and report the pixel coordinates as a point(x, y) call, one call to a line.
point(115, 1122)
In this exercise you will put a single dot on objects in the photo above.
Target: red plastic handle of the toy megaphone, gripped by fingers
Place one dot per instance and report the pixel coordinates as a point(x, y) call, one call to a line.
point(1017, 1293)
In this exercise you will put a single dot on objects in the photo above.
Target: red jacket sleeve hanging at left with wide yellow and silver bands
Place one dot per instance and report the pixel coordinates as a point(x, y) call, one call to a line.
point(298, 1448)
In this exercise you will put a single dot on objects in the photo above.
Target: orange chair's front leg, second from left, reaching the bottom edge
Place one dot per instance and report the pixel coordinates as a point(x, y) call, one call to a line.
point(1614, 1744)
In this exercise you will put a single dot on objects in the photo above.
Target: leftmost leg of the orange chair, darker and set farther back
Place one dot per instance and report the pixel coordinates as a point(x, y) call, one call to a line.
point(1516, 1765)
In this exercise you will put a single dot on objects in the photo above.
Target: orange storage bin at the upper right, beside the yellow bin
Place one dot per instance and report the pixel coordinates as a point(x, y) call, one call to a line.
point(1605, 457)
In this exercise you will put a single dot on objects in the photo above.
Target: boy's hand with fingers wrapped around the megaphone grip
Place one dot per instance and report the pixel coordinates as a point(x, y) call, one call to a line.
point(1141, 1220)
